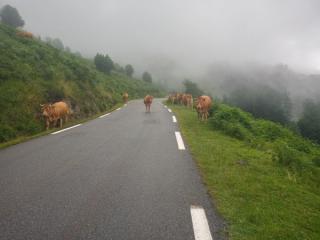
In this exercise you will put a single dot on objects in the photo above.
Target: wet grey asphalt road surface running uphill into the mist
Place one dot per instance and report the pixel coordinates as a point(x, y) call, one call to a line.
point(117, 177)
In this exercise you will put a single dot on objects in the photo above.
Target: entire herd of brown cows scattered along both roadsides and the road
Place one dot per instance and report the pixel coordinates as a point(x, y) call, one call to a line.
point(60, 111)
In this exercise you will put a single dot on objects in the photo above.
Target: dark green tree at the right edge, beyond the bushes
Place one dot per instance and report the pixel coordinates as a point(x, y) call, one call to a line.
point(309, 123)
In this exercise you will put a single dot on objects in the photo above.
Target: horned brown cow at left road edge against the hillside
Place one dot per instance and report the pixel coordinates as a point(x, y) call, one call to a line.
point(55, 112)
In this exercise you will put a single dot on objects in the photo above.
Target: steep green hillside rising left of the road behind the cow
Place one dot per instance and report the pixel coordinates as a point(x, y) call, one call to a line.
point(32, 73)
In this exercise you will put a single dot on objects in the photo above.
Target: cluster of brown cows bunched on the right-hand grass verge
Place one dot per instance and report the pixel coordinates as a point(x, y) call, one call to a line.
point(202, 104)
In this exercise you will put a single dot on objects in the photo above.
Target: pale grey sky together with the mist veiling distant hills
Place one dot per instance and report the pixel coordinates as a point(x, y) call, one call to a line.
point(220, 45)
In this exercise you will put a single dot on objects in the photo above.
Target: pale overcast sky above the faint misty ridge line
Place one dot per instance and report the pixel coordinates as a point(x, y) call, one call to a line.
point(184, 34)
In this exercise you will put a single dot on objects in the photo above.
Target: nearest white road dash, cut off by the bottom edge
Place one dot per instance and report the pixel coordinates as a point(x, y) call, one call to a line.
point(200, 224)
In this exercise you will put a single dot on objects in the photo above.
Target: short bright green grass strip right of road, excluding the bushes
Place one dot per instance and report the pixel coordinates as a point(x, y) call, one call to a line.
point(259, 198)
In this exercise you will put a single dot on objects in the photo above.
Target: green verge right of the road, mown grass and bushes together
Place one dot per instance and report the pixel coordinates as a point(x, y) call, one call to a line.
point(265, 179)
